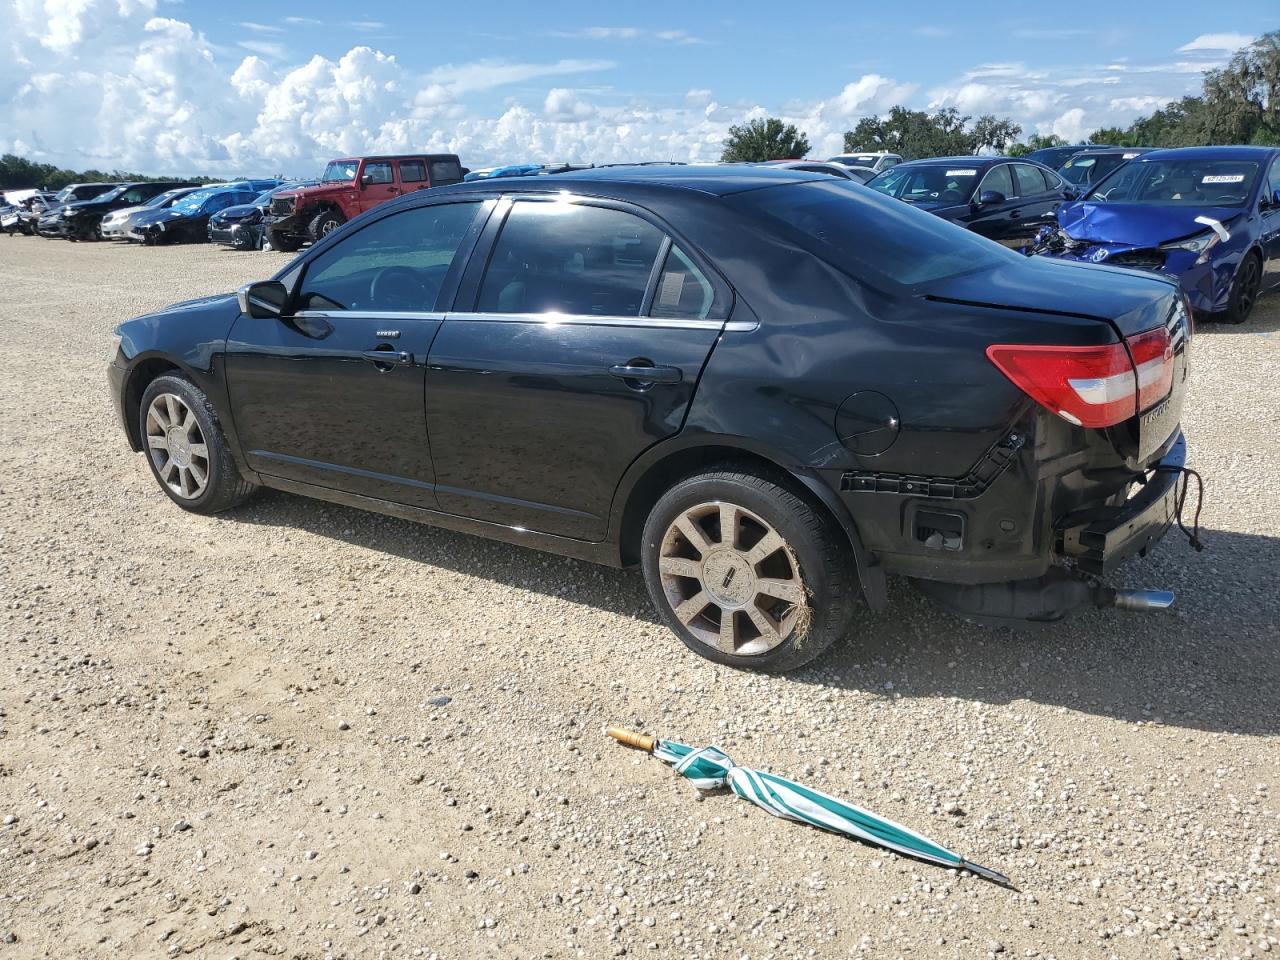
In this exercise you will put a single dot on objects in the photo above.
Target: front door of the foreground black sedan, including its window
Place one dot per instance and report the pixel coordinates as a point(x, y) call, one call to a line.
point(333, 394)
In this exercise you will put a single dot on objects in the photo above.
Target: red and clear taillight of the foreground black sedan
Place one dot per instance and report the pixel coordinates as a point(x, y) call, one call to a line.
point(1092, 387)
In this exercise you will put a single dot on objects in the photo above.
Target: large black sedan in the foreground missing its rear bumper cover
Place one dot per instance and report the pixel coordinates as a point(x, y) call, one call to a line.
point(767, 388)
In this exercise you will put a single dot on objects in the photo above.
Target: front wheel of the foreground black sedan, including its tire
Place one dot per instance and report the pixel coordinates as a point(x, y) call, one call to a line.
point(186, 450)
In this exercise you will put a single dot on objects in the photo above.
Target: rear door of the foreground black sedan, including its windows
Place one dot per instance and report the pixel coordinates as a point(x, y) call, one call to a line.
point(579, 337)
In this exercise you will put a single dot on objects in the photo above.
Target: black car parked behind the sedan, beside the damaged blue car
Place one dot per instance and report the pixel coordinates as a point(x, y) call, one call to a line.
point(999, 198)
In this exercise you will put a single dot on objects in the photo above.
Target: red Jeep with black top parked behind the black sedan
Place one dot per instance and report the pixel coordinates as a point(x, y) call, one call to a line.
point(349, 188)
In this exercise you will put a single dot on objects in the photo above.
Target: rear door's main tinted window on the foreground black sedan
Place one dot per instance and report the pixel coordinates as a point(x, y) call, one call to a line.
point(569, 258)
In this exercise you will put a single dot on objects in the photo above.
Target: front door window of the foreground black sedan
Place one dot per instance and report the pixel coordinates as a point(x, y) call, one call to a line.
point(395, 264)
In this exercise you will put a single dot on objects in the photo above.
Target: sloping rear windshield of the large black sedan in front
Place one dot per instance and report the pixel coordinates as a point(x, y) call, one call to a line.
point(871, 236)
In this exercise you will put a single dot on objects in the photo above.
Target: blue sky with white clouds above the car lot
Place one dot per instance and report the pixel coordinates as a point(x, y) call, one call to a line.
point(228, 88)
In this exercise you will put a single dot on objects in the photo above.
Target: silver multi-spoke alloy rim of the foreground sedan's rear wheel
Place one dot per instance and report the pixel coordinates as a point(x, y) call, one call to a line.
point(732, 579)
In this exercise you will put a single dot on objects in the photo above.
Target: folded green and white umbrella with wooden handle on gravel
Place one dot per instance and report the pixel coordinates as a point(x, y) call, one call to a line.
point(711, 769)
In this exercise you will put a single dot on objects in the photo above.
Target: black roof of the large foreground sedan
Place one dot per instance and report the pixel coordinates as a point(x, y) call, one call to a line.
point(720, 180)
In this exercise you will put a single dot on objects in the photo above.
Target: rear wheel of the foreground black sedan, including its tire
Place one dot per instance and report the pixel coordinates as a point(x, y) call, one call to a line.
point(781, 545)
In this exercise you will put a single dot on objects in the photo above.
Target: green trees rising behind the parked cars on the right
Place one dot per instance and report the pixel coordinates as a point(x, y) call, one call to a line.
point(1240, 104)
